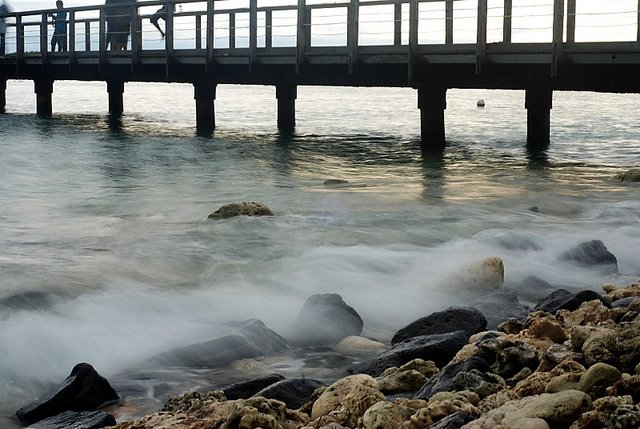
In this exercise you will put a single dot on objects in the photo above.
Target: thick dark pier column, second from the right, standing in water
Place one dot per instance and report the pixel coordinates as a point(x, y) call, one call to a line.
point(432, 102)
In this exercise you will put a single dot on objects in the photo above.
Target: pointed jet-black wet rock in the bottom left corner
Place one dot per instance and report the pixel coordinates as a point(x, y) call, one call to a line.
point(83, 390)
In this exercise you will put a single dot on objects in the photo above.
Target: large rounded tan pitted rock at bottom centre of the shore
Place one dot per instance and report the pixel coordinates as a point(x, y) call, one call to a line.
point(346, 400)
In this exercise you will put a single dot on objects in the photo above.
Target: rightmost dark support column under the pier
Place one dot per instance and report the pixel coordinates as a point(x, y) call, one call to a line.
point(538, 103)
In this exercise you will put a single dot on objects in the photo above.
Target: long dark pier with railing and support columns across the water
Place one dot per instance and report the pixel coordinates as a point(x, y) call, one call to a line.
point(431, 45)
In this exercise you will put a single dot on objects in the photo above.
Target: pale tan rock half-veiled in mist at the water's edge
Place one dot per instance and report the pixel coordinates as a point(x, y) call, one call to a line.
point(478, 277)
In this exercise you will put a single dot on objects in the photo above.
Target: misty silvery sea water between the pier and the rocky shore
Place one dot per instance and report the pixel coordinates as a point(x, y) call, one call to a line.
point(107, 255)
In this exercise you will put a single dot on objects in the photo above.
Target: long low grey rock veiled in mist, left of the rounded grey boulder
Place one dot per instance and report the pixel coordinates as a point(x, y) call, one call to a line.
point(252, 339)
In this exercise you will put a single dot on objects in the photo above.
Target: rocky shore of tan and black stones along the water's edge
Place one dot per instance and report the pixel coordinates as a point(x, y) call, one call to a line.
point(570, 360)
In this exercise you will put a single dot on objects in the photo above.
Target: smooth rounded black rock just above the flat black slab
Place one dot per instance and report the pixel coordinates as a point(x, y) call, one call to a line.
point(453, 319)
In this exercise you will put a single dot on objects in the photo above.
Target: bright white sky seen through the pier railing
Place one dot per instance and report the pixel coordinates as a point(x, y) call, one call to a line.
point(597, 20)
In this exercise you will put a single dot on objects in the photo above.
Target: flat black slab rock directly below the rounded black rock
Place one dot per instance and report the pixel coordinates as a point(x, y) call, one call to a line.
point(440, 348)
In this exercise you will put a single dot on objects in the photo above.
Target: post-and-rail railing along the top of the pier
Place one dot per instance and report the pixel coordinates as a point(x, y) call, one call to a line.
point(347, 31)
